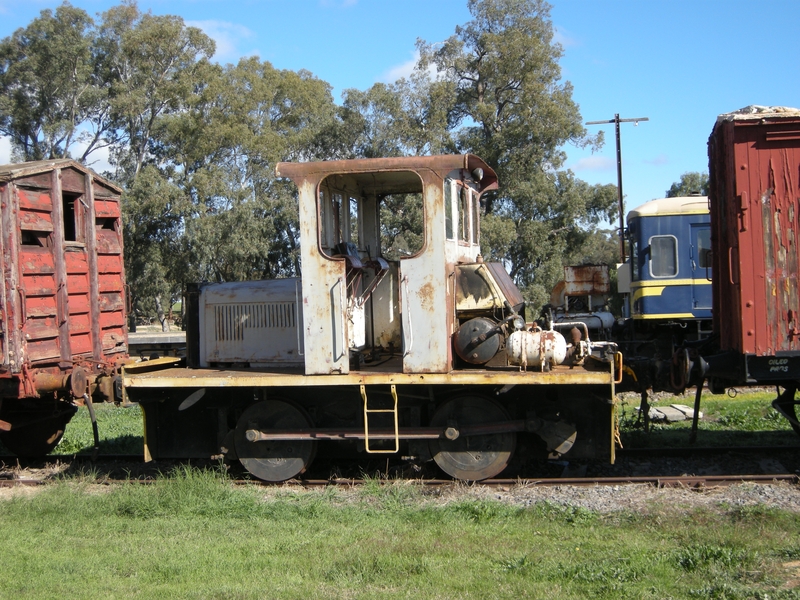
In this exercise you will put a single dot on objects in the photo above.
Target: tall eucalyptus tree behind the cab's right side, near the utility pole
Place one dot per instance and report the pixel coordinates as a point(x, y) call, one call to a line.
point(510, 106)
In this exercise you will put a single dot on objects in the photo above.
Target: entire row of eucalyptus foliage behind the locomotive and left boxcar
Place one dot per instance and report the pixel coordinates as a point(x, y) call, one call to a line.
point(195, 143)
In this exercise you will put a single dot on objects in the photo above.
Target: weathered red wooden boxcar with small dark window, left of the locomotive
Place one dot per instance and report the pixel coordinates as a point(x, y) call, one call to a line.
point(62, 302)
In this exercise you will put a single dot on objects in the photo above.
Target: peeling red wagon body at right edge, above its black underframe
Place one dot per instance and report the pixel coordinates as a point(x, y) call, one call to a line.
point(755, 186)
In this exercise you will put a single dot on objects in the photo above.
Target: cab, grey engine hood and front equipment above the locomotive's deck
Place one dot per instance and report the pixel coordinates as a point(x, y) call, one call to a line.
point(392, 277)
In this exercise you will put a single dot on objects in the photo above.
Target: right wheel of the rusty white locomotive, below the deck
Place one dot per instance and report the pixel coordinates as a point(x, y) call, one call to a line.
point(476, 457)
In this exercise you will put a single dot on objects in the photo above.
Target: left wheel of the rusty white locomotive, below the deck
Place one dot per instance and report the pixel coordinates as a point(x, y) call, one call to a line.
point(274, 460)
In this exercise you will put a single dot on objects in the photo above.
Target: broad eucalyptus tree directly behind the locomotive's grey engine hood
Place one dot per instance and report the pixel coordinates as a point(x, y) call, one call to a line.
point(247, 117)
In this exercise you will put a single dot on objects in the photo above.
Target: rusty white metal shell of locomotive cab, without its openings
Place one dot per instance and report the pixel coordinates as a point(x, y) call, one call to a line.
point(420, 291)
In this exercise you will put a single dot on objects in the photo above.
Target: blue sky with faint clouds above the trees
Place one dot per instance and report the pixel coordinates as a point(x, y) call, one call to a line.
point(678, 62)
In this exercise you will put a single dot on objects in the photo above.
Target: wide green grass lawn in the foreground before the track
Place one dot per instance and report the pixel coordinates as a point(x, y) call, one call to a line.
point(194, 535)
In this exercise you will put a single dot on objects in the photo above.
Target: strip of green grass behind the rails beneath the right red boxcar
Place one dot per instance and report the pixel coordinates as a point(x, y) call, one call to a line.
point(748, 419)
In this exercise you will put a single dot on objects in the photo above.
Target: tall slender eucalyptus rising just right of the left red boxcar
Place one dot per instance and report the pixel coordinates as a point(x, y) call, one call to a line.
point(151, 67)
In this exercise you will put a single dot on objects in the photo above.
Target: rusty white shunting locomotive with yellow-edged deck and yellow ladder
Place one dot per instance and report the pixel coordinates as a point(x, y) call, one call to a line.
point(427, 353)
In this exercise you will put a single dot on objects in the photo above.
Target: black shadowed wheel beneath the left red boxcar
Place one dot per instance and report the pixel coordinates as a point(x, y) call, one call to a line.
point(35, 430)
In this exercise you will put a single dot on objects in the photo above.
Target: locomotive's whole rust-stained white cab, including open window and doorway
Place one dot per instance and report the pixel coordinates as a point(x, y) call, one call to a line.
point(377, 245)
